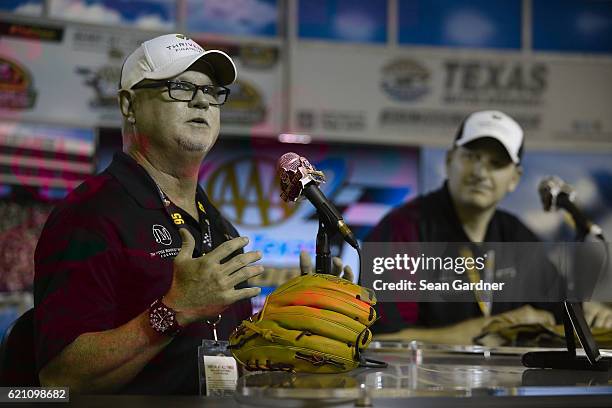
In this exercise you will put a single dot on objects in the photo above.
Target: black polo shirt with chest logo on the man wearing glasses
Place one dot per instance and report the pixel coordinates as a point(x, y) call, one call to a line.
point(105, 254)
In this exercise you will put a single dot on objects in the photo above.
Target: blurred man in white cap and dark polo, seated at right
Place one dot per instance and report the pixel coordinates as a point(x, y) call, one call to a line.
point(482, 167)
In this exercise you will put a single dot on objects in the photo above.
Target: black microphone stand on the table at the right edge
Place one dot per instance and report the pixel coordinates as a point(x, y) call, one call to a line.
point(573, 320)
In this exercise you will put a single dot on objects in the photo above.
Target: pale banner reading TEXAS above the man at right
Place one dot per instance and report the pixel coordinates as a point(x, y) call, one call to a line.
point(414, 95)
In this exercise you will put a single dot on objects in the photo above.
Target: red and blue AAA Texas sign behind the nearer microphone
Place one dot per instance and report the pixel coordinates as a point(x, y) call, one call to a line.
point(363, 181)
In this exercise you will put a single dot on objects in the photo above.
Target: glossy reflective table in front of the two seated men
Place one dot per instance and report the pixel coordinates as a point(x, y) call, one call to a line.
point(417, 375)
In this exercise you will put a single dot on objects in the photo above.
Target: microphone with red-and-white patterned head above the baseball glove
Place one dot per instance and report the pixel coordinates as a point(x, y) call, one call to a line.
point(298, 179)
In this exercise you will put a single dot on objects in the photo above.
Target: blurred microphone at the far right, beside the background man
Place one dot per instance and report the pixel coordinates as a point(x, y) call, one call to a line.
point(556, 193)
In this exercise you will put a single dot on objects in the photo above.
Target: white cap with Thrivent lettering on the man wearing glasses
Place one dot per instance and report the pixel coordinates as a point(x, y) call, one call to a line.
point(169, 55)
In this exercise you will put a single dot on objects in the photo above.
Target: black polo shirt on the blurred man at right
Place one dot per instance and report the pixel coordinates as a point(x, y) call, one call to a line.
point(432, 218)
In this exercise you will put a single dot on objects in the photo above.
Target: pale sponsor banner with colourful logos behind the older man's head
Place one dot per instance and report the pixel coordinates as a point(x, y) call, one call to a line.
point(69, 74)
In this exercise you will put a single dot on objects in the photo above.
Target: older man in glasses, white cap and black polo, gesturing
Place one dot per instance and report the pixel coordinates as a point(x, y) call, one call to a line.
point(136, 266)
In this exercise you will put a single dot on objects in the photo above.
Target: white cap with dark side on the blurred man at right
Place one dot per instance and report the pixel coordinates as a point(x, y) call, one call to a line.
point(496, 125)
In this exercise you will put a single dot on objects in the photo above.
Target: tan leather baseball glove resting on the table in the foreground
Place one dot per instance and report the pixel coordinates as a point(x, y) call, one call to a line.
point(312, 323)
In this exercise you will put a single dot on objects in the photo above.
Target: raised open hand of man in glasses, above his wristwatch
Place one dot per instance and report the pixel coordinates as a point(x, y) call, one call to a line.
point(203, 287)
